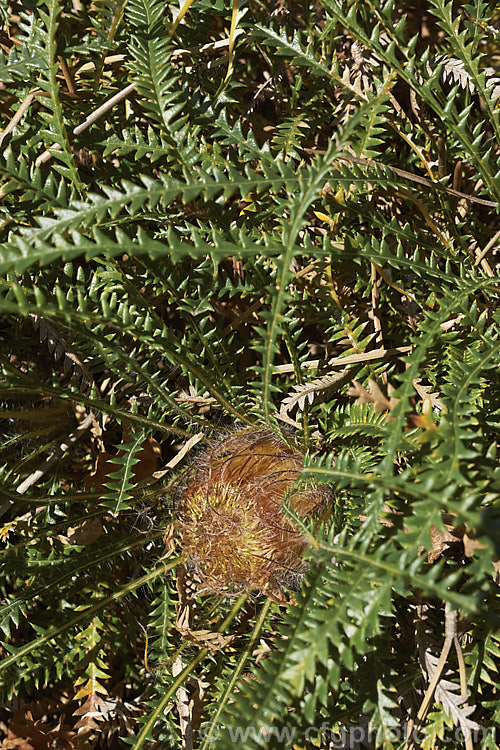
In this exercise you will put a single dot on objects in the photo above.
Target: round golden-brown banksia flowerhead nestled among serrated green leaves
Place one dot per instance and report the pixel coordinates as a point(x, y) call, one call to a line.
point(234, 532)
